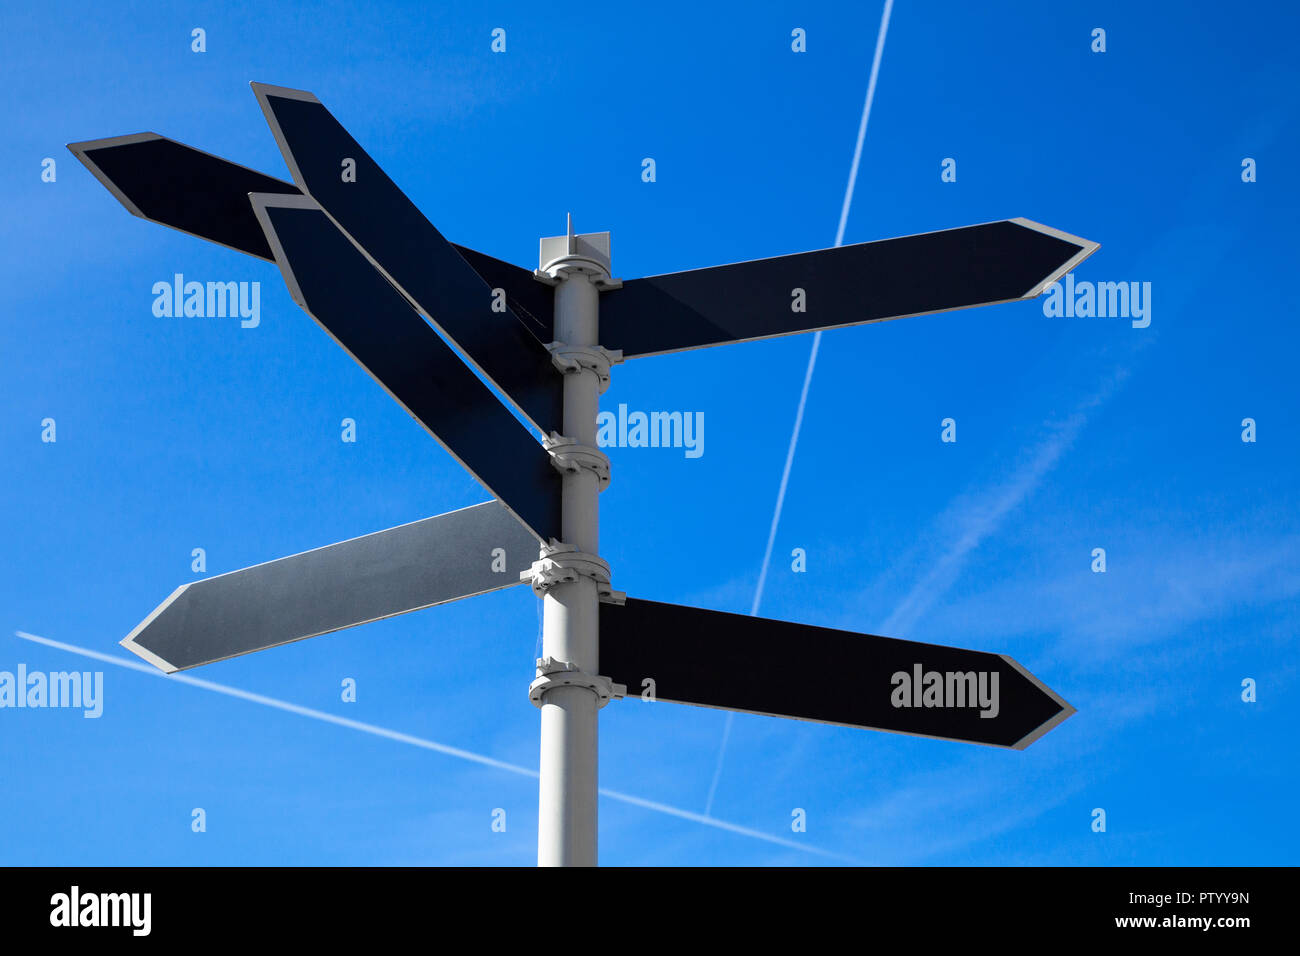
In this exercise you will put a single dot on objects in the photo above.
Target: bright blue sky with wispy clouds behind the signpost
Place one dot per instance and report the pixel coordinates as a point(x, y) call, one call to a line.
point(1073, 434)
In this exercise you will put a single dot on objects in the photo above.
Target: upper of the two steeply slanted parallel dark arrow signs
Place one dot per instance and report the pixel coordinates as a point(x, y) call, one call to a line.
point(413, 254)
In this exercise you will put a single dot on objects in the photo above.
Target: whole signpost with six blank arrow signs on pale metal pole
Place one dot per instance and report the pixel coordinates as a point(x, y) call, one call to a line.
point(370, 269)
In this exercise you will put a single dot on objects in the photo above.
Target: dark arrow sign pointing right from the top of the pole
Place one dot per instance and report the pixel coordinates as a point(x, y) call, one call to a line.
point(851, 285)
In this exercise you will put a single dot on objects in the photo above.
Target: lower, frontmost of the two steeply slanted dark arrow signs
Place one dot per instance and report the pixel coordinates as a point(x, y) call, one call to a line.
point(335, 284)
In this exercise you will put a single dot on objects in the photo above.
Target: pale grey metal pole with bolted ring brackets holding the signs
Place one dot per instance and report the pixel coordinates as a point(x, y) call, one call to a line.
point(567, 797)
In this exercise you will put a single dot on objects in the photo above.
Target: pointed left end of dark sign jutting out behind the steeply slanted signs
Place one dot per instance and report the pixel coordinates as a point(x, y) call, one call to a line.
point(176, 185)
